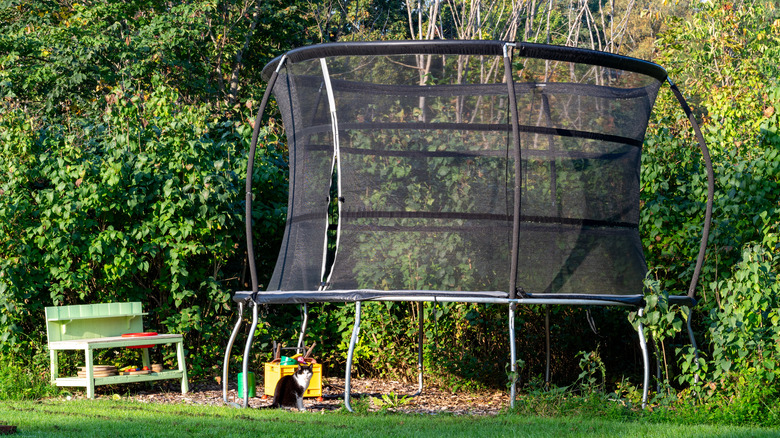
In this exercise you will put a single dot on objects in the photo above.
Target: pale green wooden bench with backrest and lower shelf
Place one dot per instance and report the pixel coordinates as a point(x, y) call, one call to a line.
point(94, 326)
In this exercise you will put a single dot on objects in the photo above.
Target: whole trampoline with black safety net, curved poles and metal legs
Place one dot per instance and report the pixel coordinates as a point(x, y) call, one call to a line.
point(460, 171)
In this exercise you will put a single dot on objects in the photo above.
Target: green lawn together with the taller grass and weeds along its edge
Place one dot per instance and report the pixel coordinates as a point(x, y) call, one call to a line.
point(39, 409)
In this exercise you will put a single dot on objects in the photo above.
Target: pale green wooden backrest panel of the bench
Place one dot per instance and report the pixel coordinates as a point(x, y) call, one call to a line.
point(88, 321)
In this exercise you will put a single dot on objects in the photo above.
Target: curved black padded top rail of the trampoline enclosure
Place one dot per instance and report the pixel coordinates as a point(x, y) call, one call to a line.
point(462, 47)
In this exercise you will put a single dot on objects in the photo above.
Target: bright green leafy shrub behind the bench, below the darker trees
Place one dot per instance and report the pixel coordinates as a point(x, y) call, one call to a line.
point(144, 205)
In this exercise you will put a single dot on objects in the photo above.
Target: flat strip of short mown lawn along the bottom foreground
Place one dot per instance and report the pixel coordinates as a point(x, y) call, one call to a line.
point(121, 418)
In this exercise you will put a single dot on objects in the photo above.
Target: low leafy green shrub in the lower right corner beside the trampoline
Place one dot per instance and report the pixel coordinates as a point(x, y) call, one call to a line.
point(740, 376)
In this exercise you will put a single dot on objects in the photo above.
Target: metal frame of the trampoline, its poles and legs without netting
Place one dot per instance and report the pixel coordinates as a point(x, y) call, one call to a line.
point(245, 300)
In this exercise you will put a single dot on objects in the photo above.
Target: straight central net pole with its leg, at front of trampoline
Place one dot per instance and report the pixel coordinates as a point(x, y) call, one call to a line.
point(512, 98)
